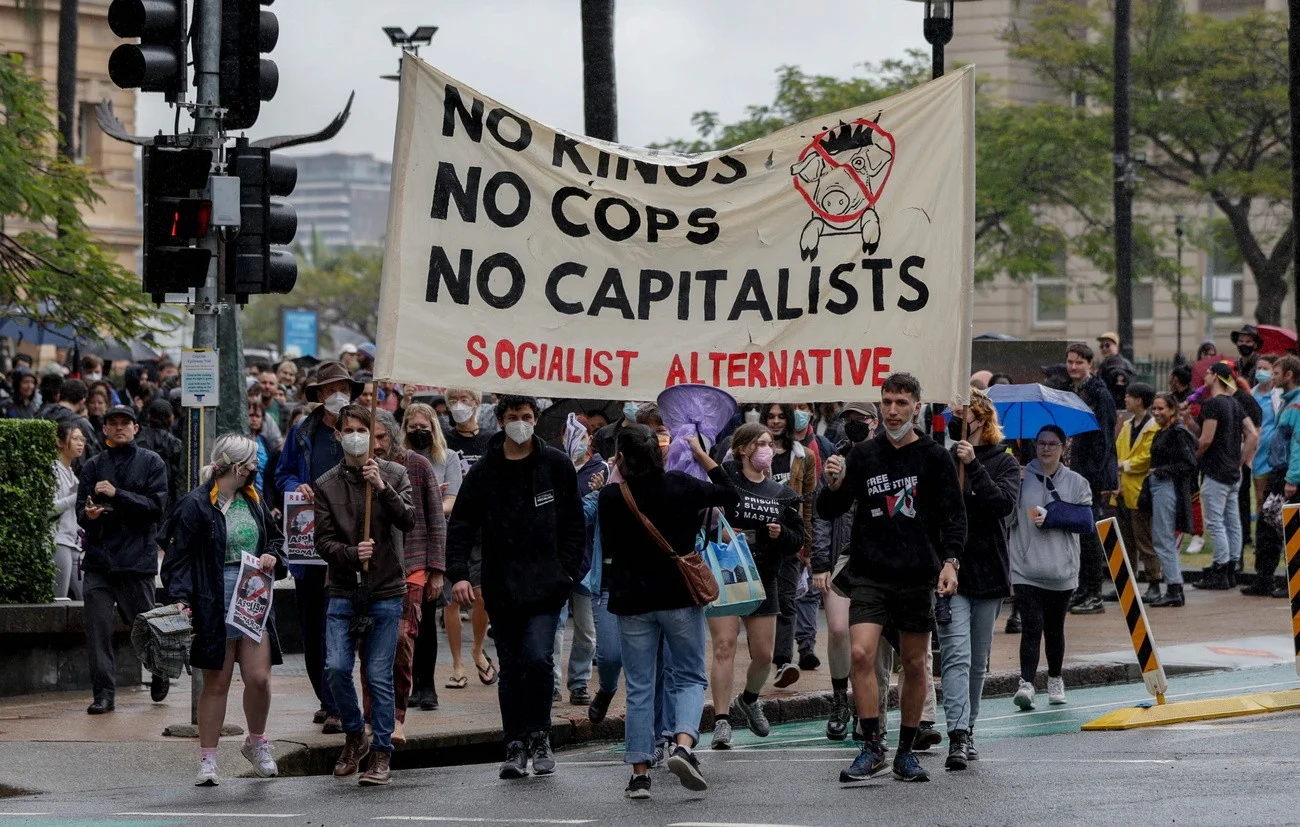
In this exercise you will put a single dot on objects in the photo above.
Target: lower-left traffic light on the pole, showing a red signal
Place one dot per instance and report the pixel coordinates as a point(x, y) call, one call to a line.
point(175, 219)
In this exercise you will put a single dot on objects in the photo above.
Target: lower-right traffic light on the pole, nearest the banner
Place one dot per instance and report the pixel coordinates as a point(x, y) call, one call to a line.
point(253, 267)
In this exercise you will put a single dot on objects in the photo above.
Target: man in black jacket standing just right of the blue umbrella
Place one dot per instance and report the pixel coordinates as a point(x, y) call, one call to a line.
point(1093, 456)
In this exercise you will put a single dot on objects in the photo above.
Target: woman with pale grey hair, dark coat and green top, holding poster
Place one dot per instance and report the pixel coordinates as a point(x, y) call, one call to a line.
point(214, 527)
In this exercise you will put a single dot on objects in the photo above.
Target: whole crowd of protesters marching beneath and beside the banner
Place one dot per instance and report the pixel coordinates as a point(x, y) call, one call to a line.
point(431, 503)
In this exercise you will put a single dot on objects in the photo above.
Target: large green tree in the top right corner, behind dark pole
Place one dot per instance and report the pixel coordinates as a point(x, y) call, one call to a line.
point(1210, 101)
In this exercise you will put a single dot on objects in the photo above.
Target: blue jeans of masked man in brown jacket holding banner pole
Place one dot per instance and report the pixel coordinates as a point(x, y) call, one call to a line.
point(379, 650)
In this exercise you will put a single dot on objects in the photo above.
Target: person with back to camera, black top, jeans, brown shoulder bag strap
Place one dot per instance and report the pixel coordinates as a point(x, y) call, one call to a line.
point(651, 597)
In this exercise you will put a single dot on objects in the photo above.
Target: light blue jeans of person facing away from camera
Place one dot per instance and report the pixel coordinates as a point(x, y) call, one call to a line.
point(684, 679)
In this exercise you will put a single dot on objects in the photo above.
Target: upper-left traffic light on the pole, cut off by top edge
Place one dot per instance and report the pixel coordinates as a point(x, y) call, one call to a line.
point(157, 64)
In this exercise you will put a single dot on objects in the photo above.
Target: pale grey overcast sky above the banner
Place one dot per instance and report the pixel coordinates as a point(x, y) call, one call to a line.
point(674, 58)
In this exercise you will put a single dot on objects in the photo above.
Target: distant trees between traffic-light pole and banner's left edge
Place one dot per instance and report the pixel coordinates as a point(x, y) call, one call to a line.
point(343, 287)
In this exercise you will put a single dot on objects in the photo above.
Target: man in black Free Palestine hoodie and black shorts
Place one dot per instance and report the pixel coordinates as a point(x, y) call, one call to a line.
point(908, 539)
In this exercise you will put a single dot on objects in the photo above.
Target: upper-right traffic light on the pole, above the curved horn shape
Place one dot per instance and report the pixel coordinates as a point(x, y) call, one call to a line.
point(248, 79)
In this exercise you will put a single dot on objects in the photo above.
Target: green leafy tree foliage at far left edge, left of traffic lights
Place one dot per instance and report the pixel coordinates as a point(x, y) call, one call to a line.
point(55, 278)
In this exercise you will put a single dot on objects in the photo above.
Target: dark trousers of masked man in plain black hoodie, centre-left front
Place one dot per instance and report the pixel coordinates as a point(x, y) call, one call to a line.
point(526, 646)
